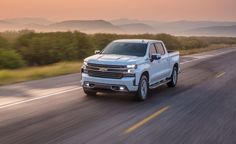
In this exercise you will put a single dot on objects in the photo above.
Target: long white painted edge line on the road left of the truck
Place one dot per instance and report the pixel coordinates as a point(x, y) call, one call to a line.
point(38, 98)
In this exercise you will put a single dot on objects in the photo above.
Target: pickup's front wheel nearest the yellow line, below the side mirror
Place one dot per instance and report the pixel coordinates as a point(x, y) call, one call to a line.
point(143, 89)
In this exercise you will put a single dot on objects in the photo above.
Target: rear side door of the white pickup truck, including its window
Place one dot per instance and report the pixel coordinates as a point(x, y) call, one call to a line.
point(164, 60)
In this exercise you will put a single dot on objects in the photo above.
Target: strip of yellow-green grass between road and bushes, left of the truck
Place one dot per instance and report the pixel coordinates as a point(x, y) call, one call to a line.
point(34, 73)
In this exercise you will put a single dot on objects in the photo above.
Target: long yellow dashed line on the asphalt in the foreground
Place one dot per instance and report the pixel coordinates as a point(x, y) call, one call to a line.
point(147, 119)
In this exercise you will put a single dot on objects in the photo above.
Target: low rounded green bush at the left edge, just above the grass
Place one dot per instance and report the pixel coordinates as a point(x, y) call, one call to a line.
point(9, 59)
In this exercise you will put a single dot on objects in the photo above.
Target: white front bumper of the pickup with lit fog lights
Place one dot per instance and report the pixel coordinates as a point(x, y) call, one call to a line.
point(126, 84)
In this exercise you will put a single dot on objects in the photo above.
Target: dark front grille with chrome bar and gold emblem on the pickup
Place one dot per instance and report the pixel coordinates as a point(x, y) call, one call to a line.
point(106, 71)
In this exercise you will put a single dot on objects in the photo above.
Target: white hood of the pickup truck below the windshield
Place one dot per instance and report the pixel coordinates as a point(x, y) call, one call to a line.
point(113, 59)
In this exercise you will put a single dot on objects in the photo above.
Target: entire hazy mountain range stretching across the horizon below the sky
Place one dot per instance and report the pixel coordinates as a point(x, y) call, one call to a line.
point(125, 26)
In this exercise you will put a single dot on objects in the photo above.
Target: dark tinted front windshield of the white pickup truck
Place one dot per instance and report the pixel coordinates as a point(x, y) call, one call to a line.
point(125, 48)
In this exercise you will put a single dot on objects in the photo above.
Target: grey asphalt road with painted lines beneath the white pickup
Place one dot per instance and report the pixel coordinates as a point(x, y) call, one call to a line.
point(200, 110)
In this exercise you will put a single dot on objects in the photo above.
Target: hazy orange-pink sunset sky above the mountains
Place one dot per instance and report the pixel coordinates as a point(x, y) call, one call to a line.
point(159, 10)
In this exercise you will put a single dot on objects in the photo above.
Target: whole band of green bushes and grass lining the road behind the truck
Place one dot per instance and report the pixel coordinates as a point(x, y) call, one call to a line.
point(27, 55)
